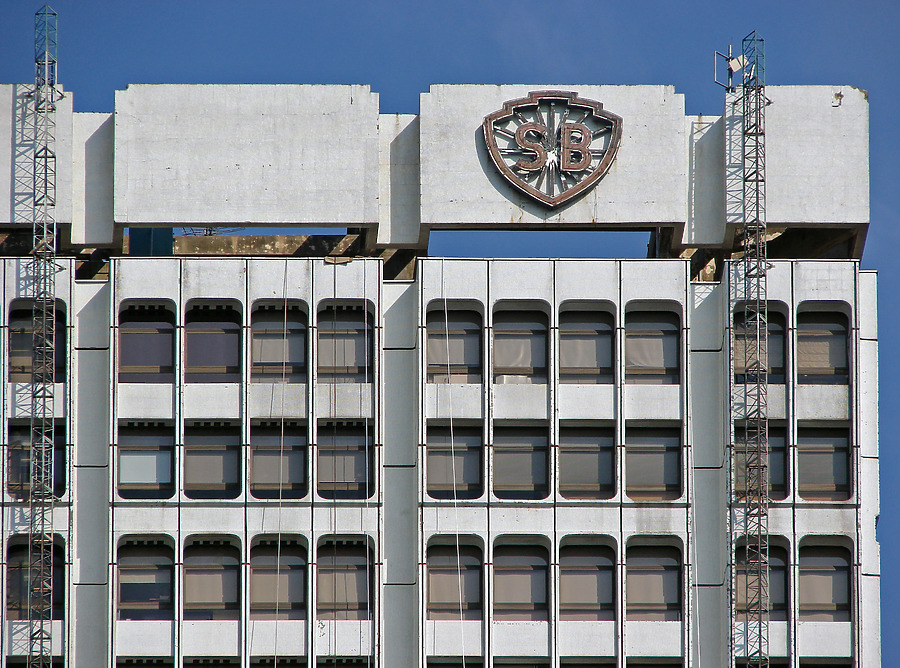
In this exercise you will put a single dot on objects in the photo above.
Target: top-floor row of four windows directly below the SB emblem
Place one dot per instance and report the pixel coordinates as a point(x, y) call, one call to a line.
point(521, 353)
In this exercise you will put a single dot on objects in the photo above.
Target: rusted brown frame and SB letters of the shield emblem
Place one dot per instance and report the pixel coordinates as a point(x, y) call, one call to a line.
point(590, 109)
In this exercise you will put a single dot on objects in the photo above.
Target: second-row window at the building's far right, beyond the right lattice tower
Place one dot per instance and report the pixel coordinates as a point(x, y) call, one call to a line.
point(823, 463)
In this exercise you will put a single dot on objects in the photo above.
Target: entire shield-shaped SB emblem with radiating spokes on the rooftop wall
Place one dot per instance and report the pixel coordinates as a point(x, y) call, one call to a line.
point(552, 145)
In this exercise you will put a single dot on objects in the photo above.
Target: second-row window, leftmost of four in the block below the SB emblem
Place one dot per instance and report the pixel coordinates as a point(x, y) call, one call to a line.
point(453, 466)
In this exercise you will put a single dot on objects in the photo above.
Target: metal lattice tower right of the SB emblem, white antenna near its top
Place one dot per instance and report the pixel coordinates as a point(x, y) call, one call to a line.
point(751, 500)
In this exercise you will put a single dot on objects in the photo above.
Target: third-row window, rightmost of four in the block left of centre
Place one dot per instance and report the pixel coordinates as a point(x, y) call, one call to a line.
point(345, 581)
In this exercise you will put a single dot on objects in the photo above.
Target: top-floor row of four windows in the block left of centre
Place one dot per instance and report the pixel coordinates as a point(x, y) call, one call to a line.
point(213, 349)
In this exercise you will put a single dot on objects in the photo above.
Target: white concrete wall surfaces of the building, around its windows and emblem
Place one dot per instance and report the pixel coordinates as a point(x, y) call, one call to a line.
point(335, 160)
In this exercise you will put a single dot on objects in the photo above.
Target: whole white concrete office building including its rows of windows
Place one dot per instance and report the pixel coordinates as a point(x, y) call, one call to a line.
point(293, 458)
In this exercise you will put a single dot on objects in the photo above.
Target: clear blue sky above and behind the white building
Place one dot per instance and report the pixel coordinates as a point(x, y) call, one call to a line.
point(400, 47)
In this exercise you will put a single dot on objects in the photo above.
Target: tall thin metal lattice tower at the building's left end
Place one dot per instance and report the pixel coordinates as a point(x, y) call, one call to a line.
point(43, 293)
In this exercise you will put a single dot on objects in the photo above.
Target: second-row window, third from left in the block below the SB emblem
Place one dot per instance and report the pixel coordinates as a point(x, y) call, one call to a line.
point(587, 463)
